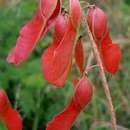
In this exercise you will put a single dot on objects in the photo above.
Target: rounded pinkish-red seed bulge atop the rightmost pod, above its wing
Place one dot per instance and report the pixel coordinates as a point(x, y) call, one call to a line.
point(97, 21)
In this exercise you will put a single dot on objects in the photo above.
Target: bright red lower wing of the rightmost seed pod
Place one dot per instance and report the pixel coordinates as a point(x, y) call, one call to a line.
point(110, 54)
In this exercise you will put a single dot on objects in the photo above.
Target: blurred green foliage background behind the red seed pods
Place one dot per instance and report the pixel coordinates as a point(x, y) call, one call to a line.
point(35, 99)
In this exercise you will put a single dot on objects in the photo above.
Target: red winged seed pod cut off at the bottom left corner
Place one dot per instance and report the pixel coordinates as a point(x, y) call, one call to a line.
point(9, 116)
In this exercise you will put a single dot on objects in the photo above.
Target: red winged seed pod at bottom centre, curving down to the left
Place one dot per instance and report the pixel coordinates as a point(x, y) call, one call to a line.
point(65, 119)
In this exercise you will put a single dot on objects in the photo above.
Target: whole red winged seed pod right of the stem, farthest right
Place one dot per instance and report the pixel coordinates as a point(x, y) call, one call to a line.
point(110, 52)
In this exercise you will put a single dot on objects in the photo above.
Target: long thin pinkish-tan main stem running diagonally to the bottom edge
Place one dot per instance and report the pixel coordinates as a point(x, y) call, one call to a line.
point(103, 78)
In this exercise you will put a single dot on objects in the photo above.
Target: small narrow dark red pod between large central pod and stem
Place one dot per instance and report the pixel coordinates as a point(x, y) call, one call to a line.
point(79, 55)
